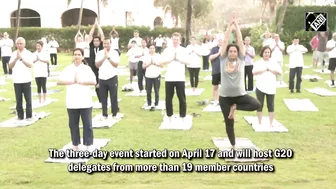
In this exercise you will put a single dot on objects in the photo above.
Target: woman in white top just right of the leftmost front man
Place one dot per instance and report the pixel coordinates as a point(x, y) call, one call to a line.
point(40, 68)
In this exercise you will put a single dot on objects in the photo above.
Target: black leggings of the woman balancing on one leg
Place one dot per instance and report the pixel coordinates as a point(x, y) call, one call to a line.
point(244, 103)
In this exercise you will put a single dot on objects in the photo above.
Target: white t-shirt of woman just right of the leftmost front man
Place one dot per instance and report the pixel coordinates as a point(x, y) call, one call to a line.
point(40, 68)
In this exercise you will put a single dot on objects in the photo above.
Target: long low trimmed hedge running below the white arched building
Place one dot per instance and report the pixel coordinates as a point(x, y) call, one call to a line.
point(65, 36)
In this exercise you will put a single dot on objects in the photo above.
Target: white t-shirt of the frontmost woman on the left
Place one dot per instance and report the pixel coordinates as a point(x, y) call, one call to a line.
point(78, 96)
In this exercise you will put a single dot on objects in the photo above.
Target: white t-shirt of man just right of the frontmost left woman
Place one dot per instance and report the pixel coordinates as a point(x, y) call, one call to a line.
point(106, 70)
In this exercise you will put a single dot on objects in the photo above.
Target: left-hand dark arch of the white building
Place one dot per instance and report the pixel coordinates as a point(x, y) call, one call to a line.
point(28, 18)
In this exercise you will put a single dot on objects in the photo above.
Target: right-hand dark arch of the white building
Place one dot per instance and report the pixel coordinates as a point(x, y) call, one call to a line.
point(70, 17)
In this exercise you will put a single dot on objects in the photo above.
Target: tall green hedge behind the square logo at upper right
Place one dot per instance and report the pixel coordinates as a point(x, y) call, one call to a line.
point(295, 17)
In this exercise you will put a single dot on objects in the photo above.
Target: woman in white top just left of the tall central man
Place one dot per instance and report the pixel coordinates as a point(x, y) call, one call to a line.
point(153, 76)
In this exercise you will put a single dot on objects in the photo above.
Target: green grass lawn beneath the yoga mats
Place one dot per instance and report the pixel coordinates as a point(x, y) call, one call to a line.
point(311, 135)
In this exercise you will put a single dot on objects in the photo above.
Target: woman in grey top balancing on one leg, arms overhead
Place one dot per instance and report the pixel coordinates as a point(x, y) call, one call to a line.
point(232, 94)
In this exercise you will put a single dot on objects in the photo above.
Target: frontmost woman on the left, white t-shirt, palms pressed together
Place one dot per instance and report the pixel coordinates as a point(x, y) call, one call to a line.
point(78, 79)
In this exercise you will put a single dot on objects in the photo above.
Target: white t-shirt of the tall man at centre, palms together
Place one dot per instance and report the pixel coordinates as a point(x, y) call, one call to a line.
point(175, 69)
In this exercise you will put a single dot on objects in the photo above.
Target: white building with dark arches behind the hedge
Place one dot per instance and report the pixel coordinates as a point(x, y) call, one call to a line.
point(61, 13)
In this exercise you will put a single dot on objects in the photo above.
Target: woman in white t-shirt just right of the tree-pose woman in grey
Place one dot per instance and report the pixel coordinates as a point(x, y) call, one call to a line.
point(266, 71)
